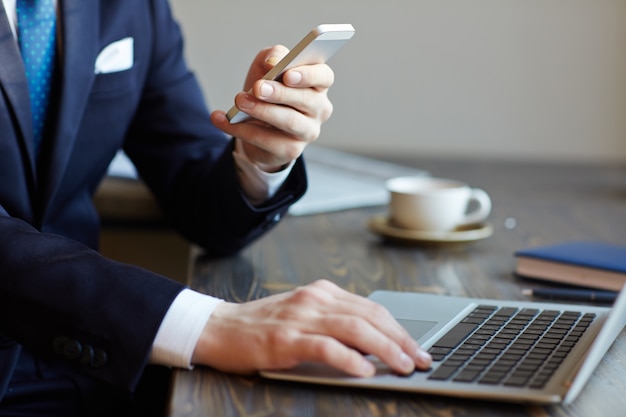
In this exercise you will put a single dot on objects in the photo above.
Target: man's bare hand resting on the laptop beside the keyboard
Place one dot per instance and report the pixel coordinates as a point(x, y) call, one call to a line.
point(319, 322)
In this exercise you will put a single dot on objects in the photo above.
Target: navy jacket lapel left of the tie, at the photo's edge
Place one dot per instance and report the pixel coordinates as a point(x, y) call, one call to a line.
point(13, 83)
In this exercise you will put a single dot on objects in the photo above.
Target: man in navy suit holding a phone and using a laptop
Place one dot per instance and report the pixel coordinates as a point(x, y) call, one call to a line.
point(78, 332)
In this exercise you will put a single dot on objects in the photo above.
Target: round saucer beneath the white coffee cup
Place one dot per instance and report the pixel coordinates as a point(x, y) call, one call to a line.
point(380, 225)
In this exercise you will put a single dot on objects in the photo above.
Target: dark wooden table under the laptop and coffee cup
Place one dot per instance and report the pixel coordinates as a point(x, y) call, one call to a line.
point(533, 204)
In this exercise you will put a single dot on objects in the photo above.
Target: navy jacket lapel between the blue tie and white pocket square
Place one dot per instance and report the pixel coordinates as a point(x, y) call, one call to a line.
point(78, 50)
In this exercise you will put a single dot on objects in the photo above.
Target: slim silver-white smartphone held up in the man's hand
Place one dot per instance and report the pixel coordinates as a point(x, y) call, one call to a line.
point(315, 48)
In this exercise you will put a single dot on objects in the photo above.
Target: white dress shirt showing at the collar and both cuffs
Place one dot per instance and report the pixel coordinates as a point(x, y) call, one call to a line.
point(184, 321)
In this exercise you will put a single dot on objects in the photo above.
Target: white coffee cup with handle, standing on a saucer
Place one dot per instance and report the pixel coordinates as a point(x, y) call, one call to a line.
point(435, 204)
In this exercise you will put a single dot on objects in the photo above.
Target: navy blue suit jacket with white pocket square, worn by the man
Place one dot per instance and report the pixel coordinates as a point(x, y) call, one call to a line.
point(58, 297)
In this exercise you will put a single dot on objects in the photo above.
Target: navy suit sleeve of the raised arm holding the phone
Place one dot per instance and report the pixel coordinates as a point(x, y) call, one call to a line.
point(188, 163)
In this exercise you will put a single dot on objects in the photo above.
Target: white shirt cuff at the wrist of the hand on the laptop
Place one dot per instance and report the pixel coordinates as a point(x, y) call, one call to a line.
point(181, 328)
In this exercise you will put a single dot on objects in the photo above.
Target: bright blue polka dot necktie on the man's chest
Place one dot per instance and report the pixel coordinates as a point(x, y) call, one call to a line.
point(37, 28)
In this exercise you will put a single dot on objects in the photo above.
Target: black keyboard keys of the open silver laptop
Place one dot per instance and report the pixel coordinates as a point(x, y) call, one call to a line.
point(508, 346)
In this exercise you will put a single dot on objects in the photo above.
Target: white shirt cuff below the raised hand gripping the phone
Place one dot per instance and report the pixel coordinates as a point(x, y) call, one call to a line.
point(257, 185)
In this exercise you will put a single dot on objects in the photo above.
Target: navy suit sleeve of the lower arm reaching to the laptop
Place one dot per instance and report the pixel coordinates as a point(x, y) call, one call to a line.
point(64, 301)
